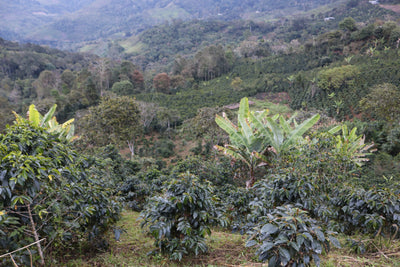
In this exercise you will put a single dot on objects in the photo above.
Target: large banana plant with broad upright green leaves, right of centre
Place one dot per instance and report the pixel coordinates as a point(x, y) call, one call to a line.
point(257, 136)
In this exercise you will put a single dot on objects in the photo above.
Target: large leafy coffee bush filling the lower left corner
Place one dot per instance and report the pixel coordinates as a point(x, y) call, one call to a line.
point(48, 191)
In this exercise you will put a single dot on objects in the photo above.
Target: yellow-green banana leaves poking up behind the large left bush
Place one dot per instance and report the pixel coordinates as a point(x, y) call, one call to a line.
point(49, 122)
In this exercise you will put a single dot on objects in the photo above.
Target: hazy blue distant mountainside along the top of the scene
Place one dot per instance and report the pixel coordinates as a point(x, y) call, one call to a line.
point(59, 21)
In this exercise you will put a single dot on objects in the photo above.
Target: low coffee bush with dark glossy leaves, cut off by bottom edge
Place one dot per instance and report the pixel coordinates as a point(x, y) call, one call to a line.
point(289, 237)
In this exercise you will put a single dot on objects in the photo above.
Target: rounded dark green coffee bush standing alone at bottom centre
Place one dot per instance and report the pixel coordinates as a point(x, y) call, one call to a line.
point(180, 219)
